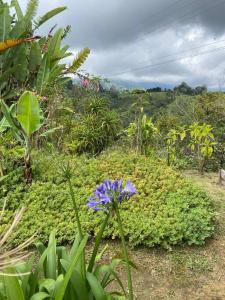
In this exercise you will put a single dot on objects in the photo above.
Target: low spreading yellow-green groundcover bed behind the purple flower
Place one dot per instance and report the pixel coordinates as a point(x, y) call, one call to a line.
point(168, 209)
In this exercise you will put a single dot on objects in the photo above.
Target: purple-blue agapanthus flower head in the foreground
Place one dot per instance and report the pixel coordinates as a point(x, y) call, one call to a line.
point(108, 192)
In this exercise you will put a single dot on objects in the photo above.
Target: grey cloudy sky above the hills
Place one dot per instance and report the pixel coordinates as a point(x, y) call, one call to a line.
point(157, 41)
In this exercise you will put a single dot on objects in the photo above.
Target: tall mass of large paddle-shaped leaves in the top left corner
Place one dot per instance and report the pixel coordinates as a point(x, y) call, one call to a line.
point(36, 64)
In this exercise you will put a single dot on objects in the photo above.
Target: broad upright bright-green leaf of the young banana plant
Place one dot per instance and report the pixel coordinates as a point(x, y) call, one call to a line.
point(28, 113)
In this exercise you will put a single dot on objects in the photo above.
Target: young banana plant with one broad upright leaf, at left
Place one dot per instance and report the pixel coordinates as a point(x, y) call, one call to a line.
point(23, 119)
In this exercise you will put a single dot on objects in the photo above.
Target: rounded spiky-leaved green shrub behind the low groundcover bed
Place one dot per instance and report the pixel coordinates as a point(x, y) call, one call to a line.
point(96, 129)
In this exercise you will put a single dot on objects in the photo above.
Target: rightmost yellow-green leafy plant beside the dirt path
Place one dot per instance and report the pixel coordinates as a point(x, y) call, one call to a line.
point(202, 142)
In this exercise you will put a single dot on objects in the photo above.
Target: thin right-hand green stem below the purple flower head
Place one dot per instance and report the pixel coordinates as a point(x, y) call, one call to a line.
point(130, 287)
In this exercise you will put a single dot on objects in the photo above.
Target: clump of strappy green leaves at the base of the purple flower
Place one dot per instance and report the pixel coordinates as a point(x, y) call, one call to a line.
point(57, 274)
